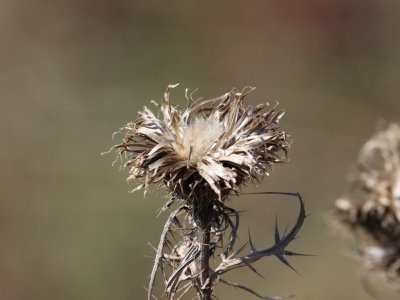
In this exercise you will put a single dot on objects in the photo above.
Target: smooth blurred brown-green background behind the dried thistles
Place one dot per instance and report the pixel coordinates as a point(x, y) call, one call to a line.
point(73, 72)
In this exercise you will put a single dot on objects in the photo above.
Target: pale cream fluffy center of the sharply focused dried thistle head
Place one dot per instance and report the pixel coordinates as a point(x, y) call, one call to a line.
point(196, 140)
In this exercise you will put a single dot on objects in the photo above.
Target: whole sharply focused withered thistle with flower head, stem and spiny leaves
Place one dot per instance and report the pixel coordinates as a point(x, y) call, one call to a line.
point(203, 155)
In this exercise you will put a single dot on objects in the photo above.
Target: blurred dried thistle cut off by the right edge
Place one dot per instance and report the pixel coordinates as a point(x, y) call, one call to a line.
point(372, 203)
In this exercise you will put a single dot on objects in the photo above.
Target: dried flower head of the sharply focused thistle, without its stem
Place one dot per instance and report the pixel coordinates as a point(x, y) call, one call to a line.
point(207, 150)
